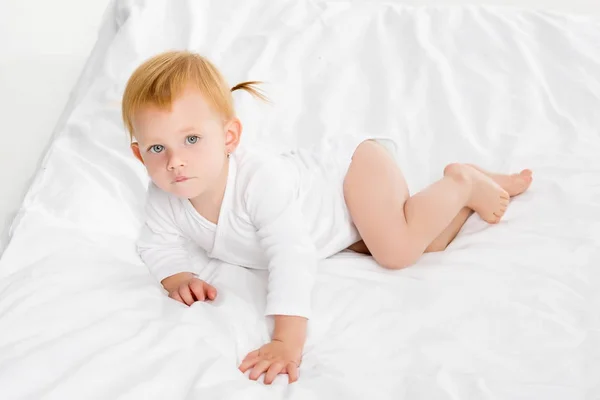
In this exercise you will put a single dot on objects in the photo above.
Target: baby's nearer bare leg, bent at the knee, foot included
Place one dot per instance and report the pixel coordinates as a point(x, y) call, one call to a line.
point(396, 228)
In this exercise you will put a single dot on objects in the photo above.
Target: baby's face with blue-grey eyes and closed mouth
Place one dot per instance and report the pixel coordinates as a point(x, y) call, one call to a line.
point(184, 149)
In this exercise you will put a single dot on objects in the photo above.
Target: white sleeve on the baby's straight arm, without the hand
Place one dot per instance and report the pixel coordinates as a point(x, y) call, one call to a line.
point(283, 233)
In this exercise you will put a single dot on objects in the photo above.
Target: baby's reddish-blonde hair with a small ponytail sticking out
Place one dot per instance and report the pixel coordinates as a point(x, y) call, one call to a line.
point(159, 80)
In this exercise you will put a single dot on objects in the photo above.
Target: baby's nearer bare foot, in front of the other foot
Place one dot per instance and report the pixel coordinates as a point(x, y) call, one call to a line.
point(488, 198)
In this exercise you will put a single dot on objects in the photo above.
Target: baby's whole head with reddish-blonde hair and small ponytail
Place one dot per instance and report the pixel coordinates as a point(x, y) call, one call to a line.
point(179, 112)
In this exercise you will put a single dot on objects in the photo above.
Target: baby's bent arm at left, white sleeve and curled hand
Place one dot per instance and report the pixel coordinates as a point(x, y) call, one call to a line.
point(162, 247)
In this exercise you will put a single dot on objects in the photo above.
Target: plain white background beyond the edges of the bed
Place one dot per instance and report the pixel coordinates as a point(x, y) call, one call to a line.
point(43, 46)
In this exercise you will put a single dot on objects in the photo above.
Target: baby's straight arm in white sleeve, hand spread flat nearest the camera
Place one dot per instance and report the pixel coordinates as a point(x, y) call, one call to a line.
point(275, 212)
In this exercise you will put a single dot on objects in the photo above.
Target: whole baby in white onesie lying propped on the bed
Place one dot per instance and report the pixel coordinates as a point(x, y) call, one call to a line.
point(281, 212)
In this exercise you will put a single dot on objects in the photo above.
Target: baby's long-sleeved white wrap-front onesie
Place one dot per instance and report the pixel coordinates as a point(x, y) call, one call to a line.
point(280, 212)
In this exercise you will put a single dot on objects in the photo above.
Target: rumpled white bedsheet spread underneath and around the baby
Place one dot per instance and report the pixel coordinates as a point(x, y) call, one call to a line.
point(507, 312)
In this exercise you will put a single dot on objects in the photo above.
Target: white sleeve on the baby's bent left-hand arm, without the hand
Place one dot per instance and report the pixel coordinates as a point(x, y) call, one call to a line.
point(161, 245)
